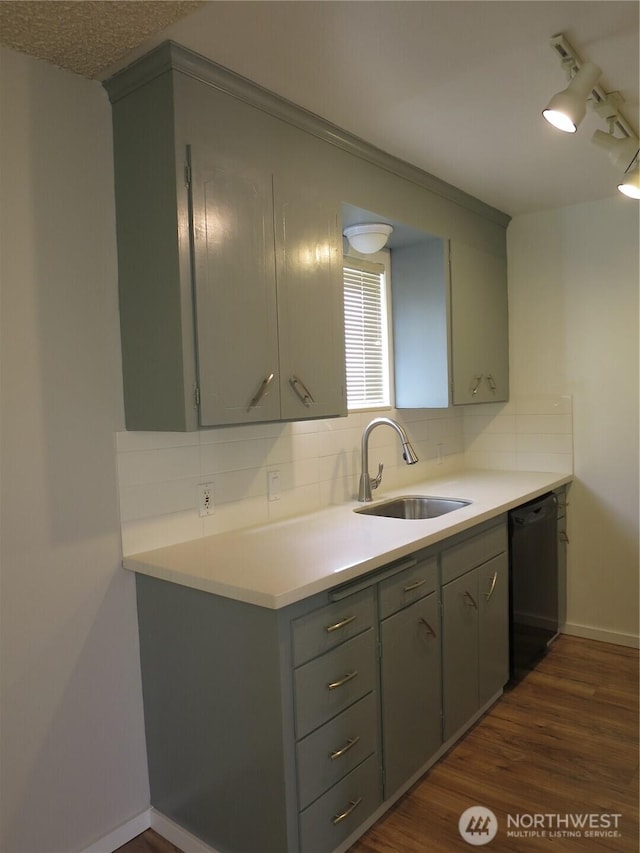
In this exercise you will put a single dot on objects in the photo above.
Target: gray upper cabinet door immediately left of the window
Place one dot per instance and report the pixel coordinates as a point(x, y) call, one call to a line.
point(310, 303)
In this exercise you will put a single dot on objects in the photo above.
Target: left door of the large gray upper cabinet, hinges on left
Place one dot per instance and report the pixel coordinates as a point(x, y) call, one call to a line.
point(236, 316)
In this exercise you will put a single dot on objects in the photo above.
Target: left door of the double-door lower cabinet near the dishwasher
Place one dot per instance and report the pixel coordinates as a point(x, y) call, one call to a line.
point(459, 651)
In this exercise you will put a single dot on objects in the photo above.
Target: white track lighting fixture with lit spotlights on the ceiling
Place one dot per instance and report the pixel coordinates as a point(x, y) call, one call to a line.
point(567, 109)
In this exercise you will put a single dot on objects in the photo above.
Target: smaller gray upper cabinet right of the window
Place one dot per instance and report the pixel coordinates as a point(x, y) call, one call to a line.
point(450, 324)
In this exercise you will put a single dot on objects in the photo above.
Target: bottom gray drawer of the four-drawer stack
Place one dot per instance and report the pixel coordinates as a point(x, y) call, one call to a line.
point(327, 822)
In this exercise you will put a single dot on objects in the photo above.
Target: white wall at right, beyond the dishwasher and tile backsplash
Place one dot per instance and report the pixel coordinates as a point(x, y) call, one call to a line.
point(573, 291)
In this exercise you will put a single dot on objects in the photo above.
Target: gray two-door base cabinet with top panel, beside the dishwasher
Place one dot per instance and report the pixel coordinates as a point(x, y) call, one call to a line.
point(475, 626)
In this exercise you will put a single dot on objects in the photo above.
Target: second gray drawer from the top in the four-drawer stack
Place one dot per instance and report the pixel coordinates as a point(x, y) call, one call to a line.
point(329, 684)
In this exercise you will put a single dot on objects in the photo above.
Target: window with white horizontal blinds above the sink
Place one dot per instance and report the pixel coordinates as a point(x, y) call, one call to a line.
point(366, 333)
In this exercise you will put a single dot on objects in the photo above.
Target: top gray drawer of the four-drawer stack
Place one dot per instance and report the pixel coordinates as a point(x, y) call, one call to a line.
point(318, 632)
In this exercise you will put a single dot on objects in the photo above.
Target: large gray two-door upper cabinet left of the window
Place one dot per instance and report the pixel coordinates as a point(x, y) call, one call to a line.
point(229, 266)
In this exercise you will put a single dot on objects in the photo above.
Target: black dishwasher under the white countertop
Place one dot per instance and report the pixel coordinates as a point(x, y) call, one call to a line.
point(533, 582)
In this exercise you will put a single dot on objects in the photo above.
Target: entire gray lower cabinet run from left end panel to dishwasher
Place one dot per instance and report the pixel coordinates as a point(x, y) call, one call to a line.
point(283, 731)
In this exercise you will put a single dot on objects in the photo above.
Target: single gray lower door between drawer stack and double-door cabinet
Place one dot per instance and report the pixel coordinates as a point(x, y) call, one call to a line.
point(411, 690)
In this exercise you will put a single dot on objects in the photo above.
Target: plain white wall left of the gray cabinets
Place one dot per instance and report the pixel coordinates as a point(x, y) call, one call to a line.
point(72, 758)
